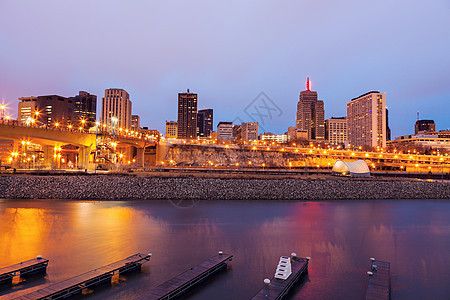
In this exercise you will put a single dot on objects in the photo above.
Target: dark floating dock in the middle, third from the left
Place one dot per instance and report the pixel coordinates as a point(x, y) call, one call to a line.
point(181, 283)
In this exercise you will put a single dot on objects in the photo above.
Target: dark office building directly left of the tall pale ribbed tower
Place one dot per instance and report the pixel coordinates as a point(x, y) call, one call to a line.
point(85, 107)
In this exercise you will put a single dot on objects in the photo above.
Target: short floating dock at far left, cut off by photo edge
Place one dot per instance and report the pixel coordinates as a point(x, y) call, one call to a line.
point(29, 267)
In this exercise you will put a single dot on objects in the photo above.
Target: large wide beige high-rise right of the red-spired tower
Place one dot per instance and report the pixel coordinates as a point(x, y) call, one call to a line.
point(366, 120)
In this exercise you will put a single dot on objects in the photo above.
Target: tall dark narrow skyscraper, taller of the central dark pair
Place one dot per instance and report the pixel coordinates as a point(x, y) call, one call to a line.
point(187, 115)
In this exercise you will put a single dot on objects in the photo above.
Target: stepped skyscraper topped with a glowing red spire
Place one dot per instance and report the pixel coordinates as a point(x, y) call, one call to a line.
point(311, 114)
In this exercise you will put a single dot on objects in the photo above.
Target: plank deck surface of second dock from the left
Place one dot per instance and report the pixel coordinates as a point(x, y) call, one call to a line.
point(82, 279)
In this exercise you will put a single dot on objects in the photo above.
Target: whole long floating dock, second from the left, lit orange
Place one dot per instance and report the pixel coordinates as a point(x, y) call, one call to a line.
point(76, 284)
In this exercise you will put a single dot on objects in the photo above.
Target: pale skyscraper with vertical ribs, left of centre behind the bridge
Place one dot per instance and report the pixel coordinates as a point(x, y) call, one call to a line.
point(116, 109)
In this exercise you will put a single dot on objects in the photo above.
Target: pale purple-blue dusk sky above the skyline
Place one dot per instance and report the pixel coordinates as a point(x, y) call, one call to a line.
point(229, 52)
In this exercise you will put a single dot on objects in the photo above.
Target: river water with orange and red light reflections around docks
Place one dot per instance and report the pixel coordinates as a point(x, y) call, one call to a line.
point(340, 237)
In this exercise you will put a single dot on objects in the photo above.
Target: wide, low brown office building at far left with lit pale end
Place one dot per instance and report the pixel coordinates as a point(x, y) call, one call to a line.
point(48, 111)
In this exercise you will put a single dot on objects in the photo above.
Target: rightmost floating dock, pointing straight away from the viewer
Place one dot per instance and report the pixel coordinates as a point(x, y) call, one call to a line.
point(379, 286)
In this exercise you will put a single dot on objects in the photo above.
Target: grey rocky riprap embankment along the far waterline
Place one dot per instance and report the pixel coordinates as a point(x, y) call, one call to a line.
point(130, 187)
